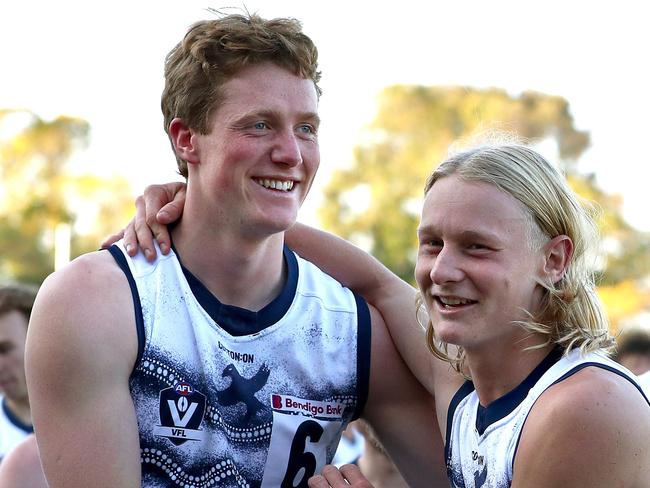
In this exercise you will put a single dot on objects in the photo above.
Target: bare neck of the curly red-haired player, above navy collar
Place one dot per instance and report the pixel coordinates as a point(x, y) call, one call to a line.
point(239, 270)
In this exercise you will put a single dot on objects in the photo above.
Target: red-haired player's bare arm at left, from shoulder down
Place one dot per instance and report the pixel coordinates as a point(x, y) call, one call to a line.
point(81, 348)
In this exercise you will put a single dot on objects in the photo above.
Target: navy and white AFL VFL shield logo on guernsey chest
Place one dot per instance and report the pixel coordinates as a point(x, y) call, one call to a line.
point(181, 413)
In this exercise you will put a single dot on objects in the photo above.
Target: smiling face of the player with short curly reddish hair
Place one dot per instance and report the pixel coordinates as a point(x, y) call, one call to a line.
point(255, 166)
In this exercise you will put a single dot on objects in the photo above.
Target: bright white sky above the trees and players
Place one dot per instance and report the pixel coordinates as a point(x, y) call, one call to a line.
point(103, 62)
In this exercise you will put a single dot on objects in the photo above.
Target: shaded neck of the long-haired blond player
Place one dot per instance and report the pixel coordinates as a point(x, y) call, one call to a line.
point(499, 371)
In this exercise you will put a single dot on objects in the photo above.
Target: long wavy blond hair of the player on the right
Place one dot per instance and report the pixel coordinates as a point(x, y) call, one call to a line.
point(571, 315)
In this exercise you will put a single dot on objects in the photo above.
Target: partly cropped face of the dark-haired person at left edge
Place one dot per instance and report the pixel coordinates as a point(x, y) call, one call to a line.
point(13, 333)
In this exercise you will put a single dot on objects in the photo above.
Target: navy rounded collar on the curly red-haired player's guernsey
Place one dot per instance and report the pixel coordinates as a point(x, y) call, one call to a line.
point(239, 321)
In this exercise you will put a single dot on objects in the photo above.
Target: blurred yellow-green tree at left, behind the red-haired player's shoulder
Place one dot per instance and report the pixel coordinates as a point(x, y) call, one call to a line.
point(38, 191)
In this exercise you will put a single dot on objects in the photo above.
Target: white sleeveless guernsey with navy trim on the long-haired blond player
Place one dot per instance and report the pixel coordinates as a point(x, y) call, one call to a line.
point(481, 442)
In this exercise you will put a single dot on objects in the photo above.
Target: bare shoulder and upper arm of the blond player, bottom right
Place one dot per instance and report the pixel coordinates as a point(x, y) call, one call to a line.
point(596, 419)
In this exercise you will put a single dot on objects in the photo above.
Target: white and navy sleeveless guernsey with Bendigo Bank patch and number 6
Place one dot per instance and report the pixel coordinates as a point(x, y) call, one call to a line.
point(232, 398)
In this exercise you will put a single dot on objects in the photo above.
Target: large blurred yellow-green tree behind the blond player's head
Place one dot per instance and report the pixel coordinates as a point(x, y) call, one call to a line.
point(376, 201)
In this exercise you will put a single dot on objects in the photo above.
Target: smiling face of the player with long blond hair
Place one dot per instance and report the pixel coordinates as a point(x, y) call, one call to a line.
point(475, 267)
